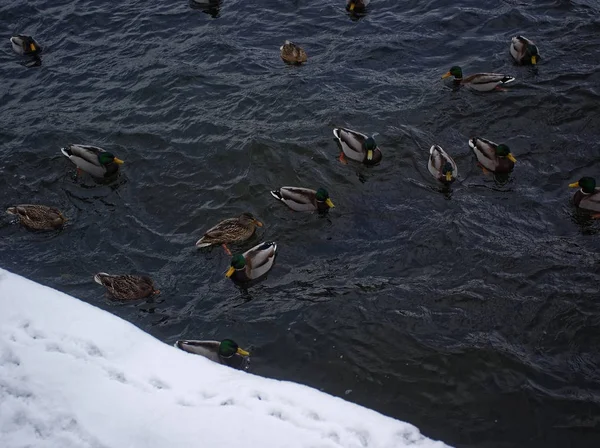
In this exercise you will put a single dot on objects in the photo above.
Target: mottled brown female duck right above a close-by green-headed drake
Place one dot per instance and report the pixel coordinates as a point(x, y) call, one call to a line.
point(231, 230)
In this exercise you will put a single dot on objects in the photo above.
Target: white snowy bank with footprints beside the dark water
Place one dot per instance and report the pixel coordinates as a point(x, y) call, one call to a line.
point(72, 375)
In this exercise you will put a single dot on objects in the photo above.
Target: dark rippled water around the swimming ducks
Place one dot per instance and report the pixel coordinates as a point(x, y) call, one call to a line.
point(472, 314)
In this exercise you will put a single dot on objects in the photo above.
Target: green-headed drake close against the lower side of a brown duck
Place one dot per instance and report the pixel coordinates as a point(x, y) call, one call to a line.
point(253, 263)
